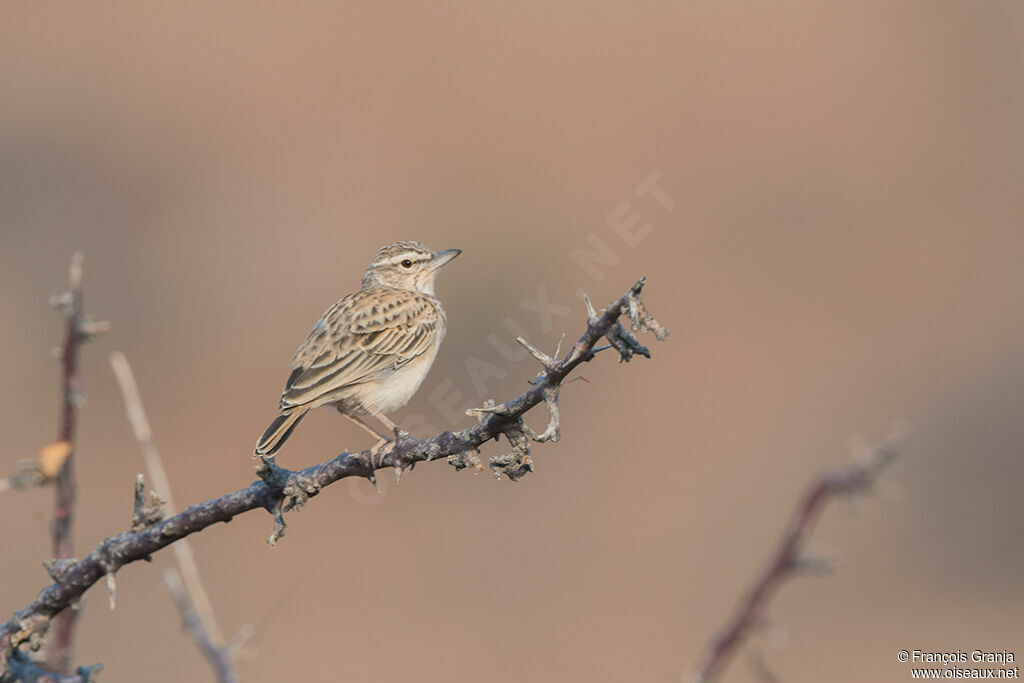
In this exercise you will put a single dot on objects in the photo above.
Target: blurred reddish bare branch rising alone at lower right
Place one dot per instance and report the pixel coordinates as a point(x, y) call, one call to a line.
point(790, 558)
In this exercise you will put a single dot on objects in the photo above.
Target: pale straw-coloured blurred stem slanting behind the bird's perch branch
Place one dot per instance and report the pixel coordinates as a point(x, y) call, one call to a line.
point(190, 596)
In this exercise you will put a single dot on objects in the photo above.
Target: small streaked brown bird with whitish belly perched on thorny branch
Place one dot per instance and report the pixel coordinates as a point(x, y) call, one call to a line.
point(370, 353)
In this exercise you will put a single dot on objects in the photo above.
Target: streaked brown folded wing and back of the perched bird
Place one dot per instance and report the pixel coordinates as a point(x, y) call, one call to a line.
point(360, 339)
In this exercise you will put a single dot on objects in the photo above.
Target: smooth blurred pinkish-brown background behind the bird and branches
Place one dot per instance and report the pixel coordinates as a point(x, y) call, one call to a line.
point(845, 248)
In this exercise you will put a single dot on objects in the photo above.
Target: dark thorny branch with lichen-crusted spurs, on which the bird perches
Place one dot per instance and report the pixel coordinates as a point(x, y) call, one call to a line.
point(281, 491)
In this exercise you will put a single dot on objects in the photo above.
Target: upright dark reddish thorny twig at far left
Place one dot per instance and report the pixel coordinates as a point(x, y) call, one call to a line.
point(79, 330)
